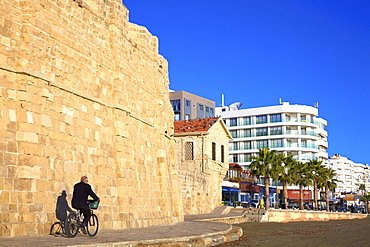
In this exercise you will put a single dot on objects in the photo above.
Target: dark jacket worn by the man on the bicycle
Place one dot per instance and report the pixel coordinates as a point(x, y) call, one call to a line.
point(81, 191)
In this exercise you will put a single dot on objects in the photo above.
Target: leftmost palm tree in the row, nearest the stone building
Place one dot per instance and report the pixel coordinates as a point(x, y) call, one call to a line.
point(261, 166)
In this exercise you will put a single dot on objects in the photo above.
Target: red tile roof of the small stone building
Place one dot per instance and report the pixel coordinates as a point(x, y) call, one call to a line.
point(195, 125)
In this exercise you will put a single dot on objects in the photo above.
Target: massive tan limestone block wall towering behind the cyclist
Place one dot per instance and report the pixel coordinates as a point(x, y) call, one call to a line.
point(83, 92)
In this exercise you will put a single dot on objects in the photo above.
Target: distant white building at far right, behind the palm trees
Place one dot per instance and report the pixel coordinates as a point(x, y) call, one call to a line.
point(350, 175)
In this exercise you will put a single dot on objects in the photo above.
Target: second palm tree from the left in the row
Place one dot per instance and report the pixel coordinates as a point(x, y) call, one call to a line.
point(284, 165)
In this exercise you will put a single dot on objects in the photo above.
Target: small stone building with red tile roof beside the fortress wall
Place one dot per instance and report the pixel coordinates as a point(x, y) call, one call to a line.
point(202, 153)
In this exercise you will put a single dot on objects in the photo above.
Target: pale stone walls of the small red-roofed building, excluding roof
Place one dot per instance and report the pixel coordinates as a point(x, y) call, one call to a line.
point(200, 179)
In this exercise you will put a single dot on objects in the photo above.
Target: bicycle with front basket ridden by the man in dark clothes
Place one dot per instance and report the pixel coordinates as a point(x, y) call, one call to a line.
point(74, 220)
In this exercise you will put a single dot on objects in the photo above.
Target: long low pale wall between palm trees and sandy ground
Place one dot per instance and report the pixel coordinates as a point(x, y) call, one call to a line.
point(278, 215)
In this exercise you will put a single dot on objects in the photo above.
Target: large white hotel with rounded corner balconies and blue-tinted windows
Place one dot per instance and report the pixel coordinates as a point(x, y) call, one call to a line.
point(291, 129)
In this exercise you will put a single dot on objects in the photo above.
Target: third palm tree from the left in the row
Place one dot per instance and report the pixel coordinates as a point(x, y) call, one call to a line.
point(301, 177)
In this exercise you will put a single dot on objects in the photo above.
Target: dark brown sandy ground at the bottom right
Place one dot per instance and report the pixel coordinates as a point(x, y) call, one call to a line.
point(313, 233)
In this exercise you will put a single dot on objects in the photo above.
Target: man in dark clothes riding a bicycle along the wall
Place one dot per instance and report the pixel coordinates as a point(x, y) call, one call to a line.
point(81, 191)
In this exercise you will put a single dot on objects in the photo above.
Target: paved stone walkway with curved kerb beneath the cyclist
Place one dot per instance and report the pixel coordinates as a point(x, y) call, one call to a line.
point(192, 232)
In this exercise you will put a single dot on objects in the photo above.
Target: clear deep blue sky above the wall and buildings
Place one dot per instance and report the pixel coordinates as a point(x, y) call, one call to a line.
point(256, 52)
